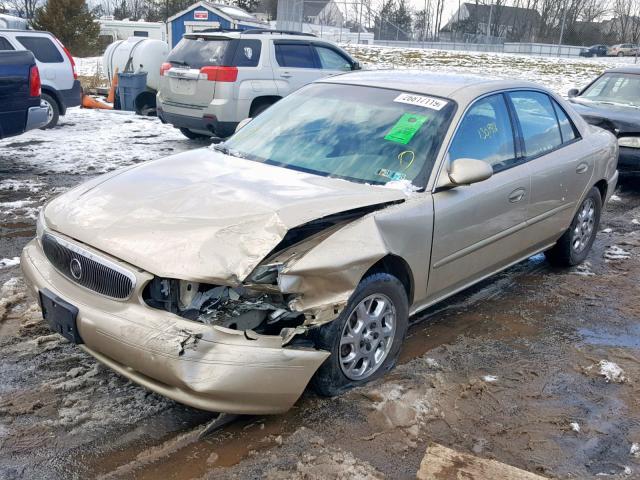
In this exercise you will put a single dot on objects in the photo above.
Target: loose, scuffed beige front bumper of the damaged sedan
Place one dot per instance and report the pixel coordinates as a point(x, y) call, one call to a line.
point(210, 368)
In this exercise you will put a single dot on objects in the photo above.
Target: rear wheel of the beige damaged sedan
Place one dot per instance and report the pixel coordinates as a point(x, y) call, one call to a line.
point(574, 245)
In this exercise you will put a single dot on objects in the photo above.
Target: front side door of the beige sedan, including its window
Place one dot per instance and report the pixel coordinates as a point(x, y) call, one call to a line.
point(479, 229)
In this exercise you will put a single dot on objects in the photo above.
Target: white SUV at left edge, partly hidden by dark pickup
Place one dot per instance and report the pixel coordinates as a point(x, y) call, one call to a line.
point(60, 84)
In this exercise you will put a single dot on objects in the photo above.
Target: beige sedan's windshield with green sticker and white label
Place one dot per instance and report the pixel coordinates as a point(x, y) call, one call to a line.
point(362, 134)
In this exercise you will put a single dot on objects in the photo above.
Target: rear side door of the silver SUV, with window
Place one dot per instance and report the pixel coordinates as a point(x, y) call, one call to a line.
point(295, 64)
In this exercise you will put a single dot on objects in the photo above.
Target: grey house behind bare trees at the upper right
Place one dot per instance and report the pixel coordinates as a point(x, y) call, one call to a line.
point(475, 21)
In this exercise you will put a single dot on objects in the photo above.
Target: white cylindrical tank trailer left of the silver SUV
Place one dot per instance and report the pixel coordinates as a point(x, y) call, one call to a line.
point(138, 54)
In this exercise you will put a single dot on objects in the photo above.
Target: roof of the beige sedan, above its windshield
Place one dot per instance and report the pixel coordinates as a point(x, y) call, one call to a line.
point(462, 88)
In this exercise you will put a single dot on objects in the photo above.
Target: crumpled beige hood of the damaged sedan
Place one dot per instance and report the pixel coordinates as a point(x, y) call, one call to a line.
point(201, 215)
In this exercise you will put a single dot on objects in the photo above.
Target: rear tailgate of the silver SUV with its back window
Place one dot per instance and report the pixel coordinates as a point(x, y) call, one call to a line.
point(195, 68)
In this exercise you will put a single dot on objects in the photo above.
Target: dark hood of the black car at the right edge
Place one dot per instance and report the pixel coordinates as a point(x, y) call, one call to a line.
point(609, 117)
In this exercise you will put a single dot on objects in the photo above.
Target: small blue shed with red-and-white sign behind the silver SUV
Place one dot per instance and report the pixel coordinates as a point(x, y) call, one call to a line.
point(204, 15)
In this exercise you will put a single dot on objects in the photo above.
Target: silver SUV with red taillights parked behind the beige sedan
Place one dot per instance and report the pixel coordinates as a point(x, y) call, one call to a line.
point(214, 79)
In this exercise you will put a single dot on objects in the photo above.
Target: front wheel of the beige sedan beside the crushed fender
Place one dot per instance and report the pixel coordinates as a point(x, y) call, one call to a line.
point(332, 378)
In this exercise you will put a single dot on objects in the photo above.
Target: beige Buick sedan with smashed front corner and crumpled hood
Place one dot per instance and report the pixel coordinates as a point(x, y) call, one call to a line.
point(227, 278)
